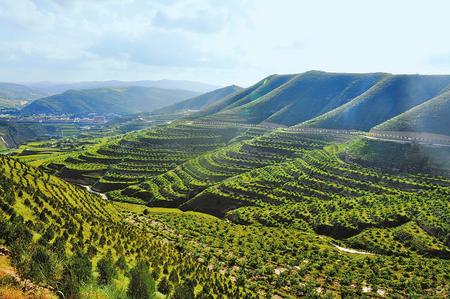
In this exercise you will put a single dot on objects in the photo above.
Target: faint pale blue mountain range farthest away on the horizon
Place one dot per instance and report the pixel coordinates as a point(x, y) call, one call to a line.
point(55, 88)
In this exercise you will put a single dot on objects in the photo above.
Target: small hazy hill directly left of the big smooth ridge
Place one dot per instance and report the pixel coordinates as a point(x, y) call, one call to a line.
point(201, 101)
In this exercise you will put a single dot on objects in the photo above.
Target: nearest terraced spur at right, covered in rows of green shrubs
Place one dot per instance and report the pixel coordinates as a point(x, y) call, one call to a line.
point(331, 197)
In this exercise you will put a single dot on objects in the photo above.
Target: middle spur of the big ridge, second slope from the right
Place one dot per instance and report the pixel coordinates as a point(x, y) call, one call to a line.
point(390, 97)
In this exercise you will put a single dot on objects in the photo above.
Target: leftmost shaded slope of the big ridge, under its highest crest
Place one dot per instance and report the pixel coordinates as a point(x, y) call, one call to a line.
point(305, 96)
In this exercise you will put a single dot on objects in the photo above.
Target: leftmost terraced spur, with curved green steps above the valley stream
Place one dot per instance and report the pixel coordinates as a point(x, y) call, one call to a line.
point(137, 156)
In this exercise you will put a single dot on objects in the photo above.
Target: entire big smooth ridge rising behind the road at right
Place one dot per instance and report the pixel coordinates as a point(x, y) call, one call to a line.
point(325, 100)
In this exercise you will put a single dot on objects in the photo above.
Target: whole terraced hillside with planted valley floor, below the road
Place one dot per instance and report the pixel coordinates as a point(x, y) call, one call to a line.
point(296, 215)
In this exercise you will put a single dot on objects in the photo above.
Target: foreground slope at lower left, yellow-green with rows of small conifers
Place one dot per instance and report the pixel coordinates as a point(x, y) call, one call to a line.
point(58, 233)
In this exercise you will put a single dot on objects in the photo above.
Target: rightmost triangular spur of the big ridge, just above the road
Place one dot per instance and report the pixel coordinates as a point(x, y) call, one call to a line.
point(431, 117)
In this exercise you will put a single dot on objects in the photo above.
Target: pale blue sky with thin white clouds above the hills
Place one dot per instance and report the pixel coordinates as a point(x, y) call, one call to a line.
point(218, 41)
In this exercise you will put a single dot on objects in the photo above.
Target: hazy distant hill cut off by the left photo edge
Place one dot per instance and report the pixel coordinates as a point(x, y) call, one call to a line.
point(16, 95)
